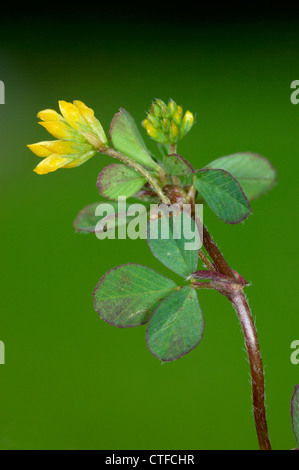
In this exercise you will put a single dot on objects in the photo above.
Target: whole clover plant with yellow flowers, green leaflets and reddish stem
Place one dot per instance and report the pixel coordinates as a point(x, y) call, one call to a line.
point(132, 294)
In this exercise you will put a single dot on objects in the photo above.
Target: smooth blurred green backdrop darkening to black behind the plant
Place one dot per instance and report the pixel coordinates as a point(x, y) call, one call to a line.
point(71, 381)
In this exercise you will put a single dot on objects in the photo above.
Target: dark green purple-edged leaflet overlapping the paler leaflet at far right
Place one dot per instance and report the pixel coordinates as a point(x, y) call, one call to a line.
point(223, 194)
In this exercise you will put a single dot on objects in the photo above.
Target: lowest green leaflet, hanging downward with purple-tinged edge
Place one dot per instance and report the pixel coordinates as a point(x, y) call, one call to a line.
point(176, 326)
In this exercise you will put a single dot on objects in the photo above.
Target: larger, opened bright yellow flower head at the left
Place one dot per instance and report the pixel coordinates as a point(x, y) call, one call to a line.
point(79, 136)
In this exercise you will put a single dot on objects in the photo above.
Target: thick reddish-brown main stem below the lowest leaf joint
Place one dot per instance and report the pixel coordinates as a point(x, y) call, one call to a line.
point(241, 306)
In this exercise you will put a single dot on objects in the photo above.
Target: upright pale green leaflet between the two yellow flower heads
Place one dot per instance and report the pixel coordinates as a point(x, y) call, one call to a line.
point(126, 138)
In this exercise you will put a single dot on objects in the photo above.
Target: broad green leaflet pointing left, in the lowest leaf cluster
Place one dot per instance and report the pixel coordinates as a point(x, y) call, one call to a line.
point(125, 295)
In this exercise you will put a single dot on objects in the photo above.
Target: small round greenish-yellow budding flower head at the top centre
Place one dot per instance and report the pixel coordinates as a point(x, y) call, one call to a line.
point(166, 123)
